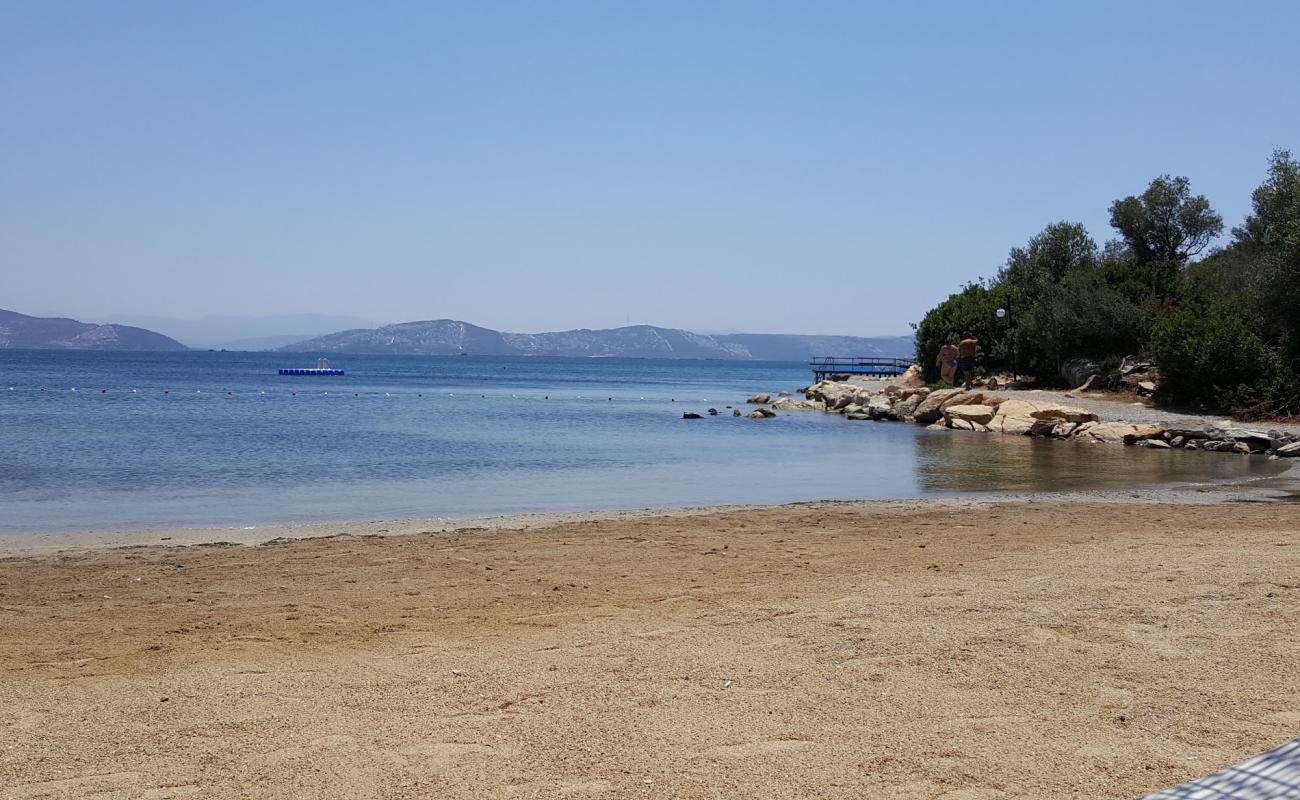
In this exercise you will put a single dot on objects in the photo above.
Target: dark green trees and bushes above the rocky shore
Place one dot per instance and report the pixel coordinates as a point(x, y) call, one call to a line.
point(1221, 323)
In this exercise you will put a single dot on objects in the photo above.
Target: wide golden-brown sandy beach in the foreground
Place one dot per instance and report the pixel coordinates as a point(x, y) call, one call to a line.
point(1029, 650)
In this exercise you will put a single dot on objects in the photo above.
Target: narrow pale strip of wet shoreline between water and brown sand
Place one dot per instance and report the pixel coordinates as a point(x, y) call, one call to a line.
point(19, 546)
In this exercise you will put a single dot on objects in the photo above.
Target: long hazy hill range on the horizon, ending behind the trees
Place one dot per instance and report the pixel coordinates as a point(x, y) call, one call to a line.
point(452, 338)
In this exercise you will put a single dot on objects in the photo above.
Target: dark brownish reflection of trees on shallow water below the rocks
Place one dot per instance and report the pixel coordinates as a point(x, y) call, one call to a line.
point(973, 462)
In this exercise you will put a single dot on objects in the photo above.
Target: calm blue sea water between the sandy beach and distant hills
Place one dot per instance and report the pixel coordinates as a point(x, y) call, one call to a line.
point(97, 440)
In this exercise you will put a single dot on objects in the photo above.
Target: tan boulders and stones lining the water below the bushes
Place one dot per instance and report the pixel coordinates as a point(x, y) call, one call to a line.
point(909, 401)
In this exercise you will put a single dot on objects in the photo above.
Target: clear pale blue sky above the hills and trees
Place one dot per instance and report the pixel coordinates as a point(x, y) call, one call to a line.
point(772, 167)
